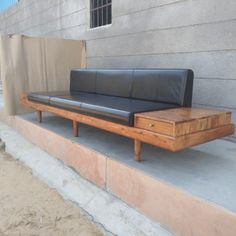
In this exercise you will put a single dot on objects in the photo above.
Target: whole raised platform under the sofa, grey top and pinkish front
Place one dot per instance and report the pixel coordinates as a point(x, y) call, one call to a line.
point(191, 192)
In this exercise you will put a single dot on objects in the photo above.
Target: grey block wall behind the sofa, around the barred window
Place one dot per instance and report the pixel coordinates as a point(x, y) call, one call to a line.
point(197, 34)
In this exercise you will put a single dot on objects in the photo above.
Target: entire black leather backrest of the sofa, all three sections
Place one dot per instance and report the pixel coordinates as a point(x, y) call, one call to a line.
point(161, 85)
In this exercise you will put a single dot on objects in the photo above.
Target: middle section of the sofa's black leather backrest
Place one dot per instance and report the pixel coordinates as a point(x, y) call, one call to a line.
point(114, 82)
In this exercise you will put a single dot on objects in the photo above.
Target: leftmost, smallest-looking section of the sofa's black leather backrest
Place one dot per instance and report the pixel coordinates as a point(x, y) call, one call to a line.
point(83, 80)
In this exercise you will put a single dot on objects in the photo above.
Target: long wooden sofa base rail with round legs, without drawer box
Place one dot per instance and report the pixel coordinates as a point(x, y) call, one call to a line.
point(138, 135)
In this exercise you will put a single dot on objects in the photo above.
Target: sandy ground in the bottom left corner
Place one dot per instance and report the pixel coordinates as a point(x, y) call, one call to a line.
point(30, 207)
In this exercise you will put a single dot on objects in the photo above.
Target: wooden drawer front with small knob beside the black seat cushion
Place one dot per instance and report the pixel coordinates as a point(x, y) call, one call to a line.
point(154, 126)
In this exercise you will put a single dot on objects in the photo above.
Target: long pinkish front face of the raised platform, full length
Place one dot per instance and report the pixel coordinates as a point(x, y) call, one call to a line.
point(184, 213)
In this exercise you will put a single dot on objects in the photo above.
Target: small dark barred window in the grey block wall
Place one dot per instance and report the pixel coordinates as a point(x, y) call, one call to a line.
point(100, 13)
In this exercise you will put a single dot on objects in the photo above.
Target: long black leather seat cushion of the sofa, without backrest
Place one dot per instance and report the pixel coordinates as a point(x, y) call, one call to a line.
point(116, 109)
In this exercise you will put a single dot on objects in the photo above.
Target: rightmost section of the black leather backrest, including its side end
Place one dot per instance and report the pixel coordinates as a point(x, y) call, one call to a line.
point(163, 85)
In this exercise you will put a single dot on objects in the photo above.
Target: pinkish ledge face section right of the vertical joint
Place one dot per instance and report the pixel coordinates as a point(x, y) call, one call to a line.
point(183, 213)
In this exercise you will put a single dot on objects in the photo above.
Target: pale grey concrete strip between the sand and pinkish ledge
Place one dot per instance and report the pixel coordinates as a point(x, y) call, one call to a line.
point(107, 211)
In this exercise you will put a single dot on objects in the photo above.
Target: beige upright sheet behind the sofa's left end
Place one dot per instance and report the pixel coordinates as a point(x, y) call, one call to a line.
point(36, 64)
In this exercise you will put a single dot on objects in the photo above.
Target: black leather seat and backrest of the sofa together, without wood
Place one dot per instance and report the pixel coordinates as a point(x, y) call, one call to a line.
point(117, 94)
